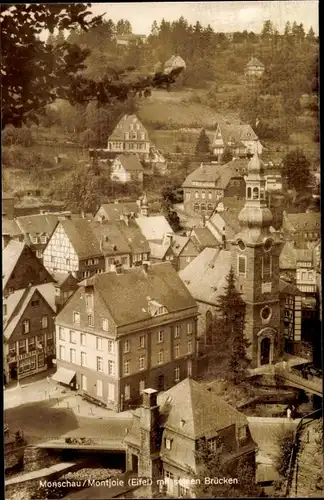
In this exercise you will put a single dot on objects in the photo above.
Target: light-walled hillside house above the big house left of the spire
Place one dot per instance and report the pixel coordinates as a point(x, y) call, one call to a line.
point(240, 140)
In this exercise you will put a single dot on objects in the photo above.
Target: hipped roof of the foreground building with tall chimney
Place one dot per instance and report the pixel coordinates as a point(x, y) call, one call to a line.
point(191, 410)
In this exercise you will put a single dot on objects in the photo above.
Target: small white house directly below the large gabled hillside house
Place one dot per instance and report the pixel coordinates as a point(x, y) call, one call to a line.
point(127, 168)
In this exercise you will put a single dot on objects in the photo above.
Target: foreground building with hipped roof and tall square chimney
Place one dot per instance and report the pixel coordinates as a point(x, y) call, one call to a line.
point(168, 429)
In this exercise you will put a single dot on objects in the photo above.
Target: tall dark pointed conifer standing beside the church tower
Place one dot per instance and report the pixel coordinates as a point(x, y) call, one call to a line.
point(226, 344)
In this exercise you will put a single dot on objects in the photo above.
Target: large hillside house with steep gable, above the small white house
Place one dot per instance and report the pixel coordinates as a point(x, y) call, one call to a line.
point(129, 136)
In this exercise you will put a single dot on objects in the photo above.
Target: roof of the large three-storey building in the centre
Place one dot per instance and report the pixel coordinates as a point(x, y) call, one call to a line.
point(126, 296)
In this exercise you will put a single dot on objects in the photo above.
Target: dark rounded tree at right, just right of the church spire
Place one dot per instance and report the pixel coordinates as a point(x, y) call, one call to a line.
point(296, 169)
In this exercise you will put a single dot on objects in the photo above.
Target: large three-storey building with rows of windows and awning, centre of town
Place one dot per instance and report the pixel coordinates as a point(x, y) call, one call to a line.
point(122, 332)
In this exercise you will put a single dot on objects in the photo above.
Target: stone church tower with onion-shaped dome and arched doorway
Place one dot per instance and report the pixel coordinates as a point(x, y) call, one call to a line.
point(255, 259)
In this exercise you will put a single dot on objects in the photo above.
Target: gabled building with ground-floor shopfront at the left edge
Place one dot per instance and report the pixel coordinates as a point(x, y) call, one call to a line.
point(28, 331)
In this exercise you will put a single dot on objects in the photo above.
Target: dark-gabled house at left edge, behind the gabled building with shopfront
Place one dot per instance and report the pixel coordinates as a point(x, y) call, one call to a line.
point(21, 268)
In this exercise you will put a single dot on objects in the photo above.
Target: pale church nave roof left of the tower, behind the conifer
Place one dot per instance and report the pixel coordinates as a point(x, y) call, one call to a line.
point(205, 276)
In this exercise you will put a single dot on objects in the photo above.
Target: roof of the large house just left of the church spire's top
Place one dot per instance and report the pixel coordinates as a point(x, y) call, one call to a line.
point(219, 175)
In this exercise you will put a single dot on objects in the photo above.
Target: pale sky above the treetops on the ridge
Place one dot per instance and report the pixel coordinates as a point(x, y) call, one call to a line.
point(223, 16)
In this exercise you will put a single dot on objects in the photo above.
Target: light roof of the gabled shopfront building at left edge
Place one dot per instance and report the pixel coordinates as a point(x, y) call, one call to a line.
point(19, 300)
